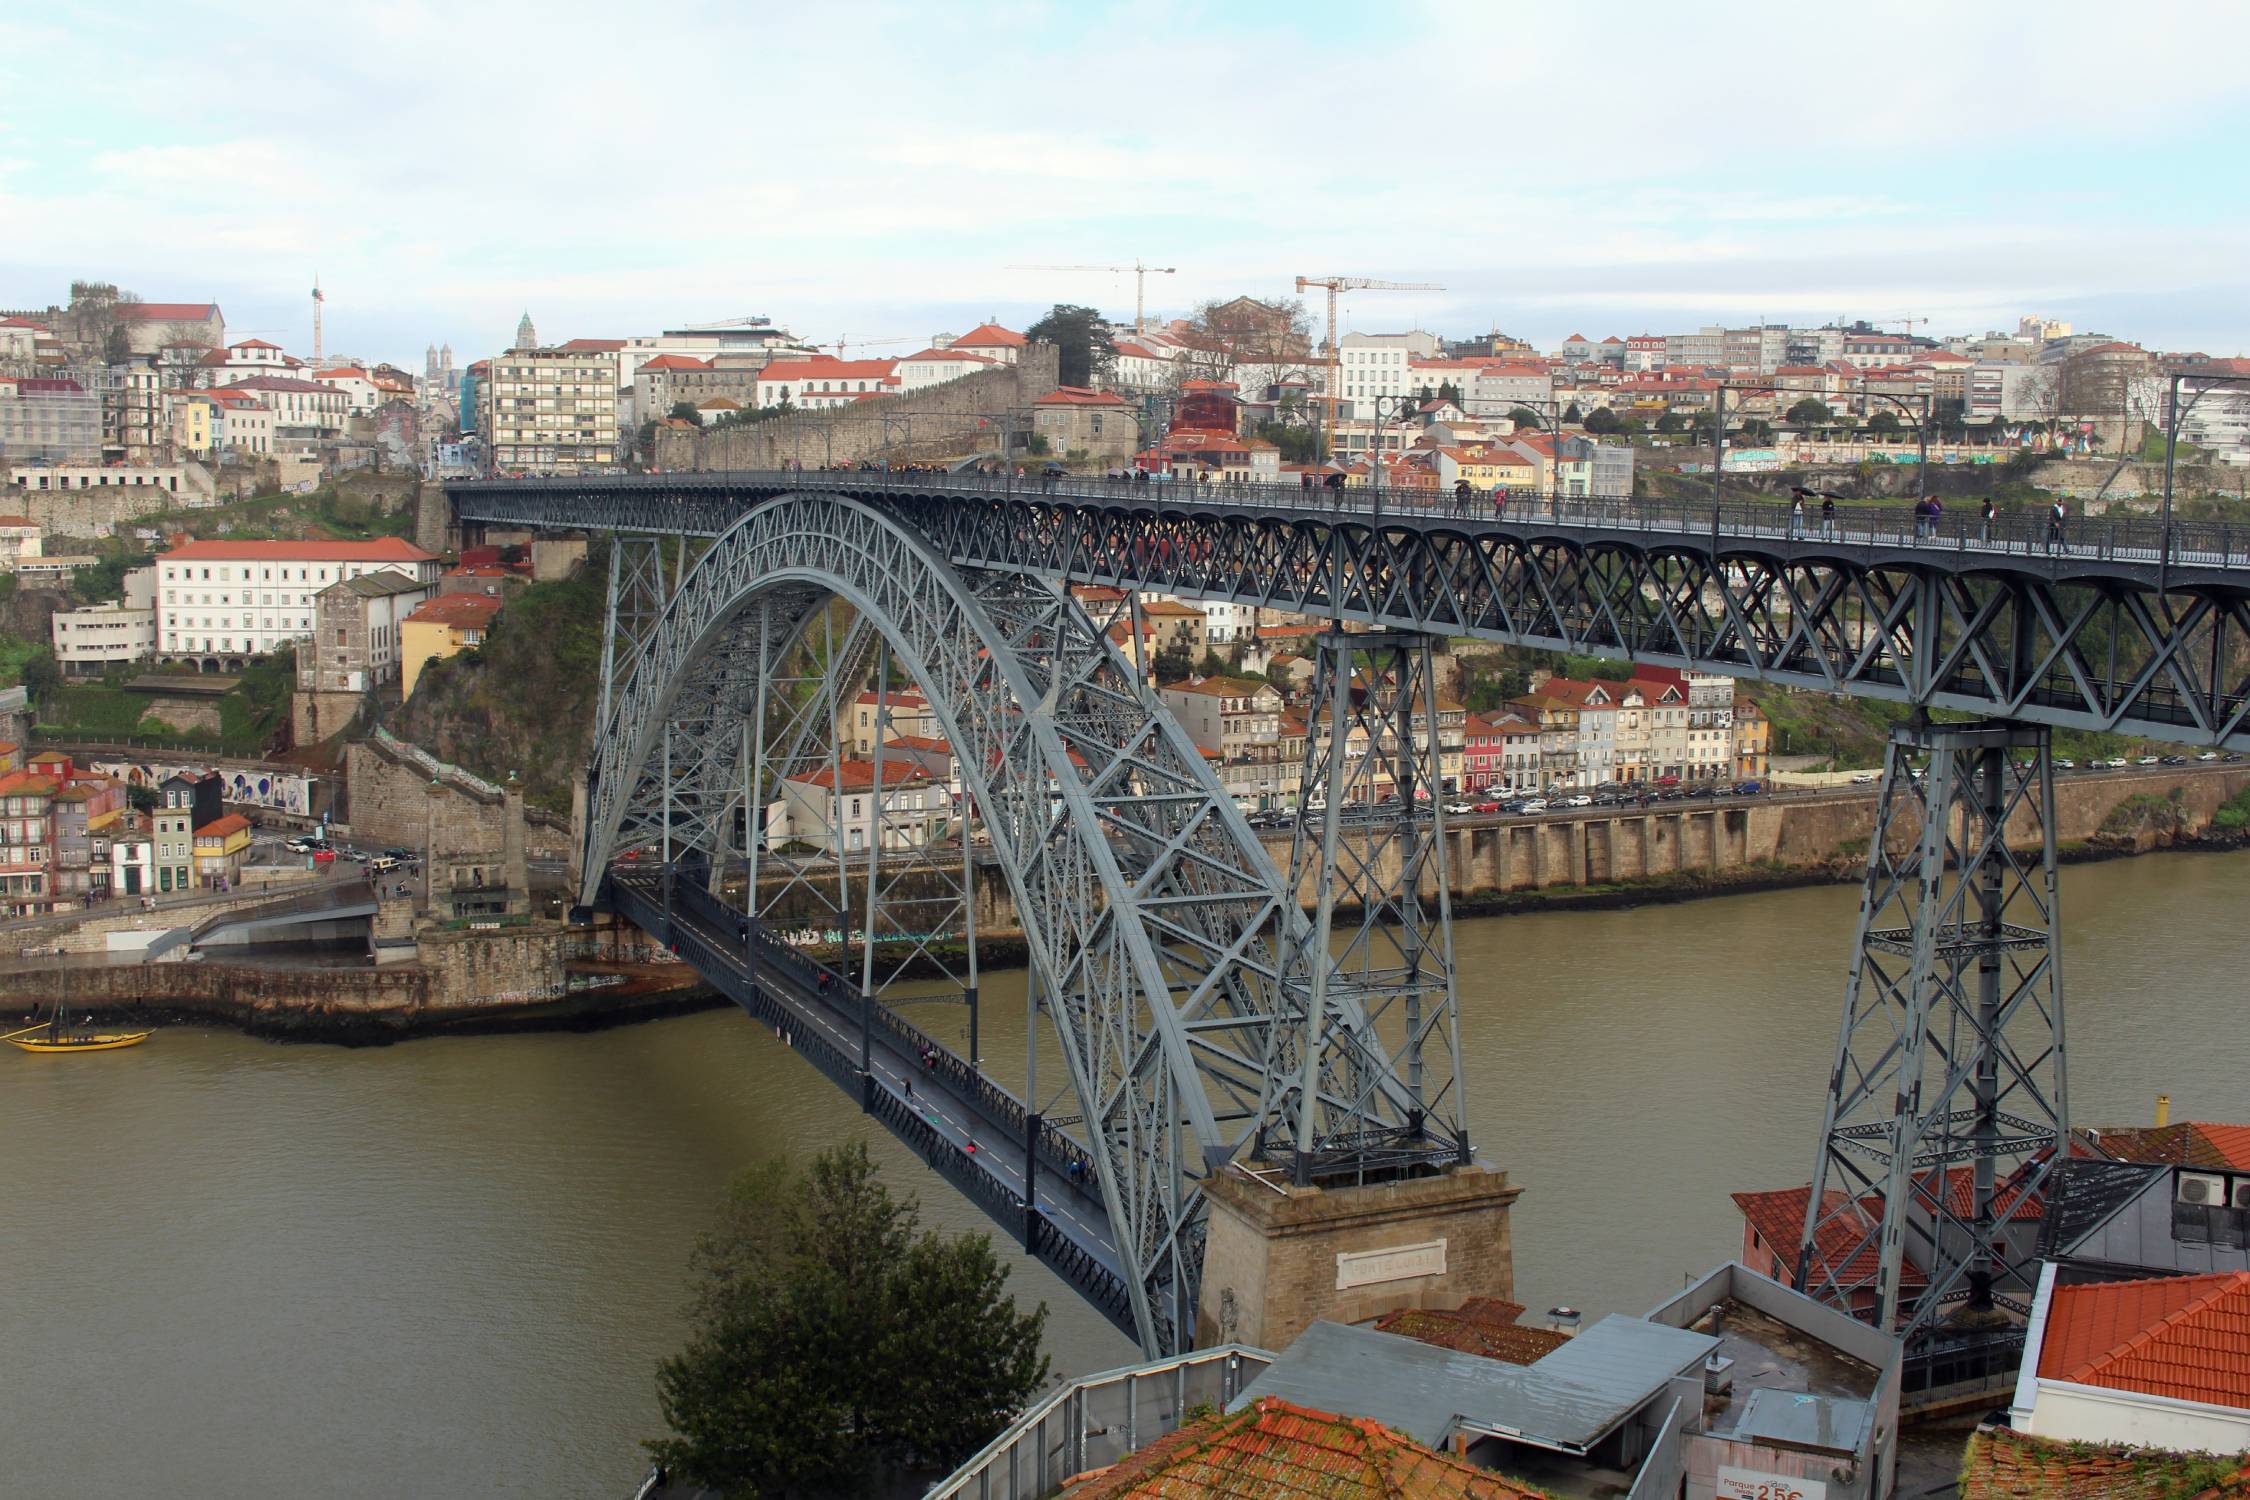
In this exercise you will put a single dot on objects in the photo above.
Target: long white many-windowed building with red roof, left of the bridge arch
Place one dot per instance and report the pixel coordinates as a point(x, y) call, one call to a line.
point(242, 599)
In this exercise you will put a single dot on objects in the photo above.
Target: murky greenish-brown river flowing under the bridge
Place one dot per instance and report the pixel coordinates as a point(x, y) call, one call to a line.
point(249, 1269)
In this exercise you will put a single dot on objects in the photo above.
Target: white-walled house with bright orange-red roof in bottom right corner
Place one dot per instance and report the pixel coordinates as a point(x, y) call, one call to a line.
point(2157, 1364)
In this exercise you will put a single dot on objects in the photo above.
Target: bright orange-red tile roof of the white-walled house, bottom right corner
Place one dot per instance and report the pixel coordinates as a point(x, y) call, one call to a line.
point(2184, 1337)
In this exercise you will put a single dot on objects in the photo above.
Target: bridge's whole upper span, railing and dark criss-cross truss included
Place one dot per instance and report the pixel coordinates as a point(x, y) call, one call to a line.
point(2114, 624)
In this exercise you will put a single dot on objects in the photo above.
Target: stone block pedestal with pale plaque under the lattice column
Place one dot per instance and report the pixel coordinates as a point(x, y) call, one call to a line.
point(1281, 1258)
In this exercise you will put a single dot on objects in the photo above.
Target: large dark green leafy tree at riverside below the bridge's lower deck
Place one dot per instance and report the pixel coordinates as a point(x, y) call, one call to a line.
point(834, 1339)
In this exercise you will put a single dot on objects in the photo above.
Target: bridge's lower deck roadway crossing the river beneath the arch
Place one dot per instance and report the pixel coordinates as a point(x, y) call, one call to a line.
point(955, 1119)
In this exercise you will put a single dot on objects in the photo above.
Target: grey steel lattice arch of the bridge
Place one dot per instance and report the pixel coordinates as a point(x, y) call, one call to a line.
point(1160, 934)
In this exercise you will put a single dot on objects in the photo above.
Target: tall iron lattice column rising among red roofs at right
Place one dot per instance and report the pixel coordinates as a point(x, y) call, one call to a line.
point(1947, 1103)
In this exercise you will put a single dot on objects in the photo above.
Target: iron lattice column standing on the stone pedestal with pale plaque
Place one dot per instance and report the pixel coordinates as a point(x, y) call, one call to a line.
point(1369, 844)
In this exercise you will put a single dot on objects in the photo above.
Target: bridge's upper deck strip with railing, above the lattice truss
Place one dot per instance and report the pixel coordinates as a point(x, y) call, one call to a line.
point(2134, 550)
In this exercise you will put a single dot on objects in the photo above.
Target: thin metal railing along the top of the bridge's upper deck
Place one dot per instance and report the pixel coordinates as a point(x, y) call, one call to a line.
point(2028, 534)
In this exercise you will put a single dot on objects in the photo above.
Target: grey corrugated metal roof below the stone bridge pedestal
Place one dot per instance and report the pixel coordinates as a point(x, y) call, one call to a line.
point(1567, 1400)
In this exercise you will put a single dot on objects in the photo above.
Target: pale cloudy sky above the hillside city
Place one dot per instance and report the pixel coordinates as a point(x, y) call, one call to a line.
point(890, 172)
